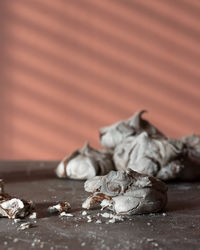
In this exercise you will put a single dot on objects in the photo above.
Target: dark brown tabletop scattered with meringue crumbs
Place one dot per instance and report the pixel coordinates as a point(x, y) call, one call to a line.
point(178, 229)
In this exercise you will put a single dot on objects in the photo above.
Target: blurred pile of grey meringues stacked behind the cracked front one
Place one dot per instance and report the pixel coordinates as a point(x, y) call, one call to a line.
point(136, 144)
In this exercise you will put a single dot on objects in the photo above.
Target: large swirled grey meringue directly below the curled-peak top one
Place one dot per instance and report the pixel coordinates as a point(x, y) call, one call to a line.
point(159, 157)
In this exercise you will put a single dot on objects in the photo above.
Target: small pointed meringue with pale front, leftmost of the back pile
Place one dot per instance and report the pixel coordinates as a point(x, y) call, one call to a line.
point(85, 163)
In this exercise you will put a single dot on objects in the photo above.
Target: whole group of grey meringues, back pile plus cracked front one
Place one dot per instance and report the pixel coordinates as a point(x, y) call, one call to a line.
point(141, 156)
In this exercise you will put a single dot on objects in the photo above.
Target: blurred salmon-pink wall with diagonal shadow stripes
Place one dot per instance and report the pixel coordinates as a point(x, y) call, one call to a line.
point(69, 67)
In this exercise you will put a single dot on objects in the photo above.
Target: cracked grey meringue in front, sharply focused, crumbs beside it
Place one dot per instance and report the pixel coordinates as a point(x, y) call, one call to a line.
point(126, 193)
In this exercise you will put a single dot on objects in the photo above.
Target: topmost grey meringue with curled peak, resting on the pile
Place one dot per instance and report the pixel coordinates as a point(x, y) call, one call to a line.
point(113, 135)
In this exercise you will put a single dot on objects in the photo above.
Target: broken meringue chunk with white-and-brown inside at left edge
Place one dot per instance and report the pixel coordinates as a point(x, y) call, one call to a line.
point(13, 207)
